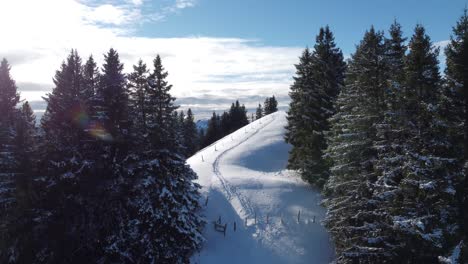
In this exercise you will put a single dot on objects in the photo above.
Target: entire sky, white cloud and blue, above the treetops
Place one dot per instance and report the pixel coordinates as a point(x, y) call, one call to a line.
point(215, 51)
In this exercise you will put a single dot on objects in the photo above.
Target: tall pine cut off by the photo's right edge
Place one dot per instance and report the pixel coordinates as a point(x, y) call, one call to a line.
point(456, 112)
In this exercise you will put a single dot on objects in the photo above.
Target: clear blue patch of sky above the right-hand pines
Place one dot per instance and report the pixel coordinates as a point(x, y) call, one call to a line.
point(295, 23)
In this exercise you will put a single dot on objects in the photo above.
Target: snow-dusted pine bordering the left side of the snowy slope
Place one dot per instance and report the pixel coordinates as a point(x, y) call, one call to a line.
point(162, 224)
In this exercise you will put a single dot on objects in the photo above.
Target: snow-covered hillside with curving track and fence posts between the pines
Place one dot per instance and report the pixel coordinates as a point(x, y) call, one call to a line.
point(243, 175)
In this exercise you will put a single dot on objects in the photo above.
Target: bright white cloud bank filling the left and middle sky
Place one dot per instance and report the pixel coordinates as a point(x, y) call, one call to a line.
point(40, 37)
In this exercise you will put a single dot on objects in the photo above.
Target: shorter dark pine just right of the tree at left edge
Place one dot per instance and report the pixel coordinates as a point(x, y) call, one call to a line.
point(21, 240)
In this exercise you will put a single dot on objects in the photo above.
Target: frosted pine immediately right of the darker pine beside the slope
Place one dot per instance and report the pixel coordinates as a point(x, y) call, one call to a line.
point(351, 210)
